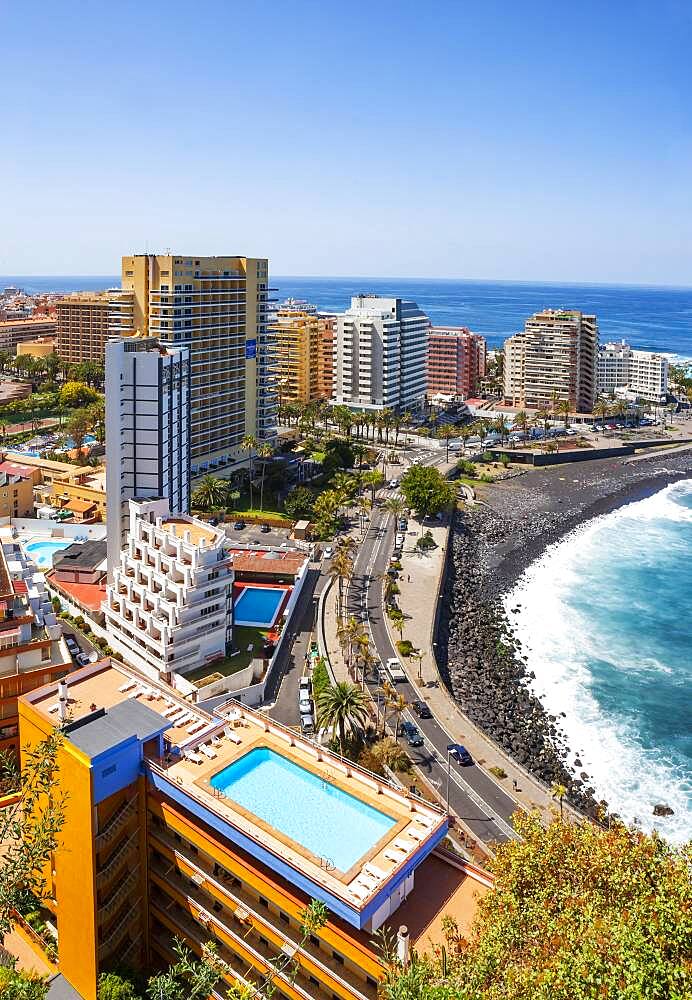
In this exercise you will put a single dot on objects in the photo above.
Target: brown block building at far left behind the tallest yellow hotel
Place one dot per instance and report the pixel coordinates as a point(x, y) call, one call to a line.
point(83, 319)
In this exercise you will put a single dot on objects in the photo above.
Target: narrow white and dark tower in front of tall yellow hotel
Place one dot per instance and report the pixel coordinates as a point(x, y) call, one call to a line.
point(147, 430)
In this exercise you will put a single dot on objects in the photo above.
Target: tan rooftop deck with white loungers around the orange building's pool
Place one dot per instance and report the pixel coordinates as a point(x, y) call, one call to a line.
point(235, 730)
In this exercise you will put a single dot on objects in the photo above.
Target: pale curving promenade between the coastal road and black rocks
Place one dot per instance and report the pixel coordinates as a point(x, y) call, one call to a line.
point(419, 583)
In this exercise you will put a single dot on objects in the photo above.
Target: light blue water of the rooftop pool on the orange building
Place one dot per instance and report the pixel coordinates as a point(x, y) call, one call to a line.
point(320, 817)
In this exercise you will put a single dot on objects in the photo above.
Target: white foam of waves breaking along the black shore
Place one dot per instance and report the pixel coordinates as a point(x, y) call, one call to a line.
point(560, 645)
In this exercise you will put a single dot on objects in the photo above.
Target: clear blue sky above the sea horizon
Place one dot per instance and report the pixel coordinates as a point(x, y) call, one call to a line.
point(529, 141)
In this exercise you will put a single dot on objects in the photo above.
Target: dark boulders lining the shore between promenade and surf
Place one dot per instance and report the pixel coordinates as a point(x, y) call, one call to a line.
point(484, 666)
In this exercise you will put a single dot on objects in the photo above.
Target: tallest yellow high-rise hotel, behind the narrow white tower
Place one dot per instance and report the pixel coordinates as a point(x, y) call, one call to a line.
point(217, 307)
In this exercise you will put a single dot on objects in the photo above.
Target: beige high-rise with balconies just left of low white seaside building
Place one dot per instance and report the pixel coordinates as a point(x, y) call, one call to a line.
point(554, 360)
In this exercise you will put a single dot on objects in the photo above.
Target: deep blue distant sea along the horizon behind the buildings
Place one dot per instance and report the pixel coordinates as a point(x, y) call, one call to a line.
point(652, 318)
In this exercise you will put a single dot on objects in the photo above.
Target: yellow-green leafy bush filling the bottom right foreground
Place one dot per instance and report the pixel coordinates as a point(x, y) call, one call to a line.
point(577, 913)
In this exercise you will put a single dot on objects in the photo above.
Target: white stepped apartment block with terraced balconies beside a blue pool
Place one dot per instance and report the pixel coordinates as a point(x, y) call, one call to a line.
point(168, 606)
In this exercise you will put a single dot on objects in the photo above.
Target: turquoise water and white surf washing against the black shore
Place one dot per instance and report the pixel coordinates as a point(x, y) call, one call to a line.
point(606, 621)
